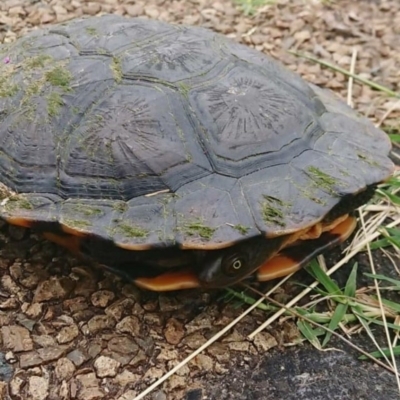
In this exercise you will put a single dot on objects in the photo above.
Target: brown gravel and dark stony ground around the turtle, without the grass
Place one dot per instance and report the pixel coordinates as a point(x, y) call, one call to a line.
point(72, 331)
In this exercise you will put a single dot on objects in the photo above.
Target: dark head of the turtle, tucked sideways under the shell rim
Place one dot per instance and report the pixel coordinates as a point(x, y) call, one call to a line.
point(220, 268)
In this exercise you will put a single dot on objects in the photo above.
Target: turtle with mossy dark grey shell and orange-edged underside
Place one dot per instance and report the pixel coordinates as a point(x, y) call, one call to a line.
point(175, 156)
